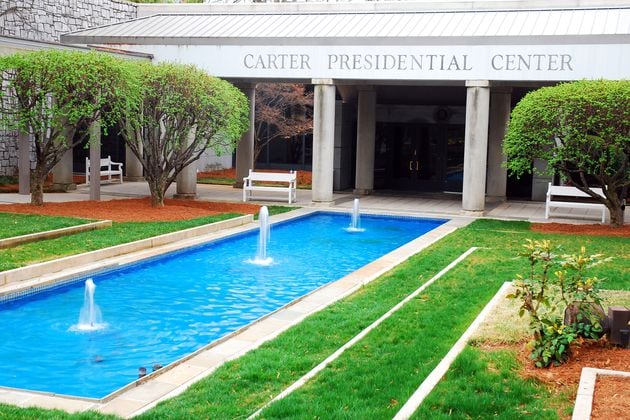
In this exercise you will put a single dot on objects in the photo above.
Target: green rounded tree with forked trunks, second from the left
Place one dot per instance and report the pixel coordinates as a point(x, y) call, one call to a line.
point(182, 112)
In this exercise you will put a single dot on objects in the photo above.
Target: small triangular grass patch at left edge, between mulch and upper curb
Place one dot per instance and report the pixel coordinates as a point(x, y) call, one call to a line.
point(15, 224)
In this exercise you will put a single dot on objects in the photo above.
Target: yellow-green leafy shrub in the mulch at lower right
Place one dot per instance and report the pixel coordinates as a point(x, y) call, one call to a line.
point(554, 283)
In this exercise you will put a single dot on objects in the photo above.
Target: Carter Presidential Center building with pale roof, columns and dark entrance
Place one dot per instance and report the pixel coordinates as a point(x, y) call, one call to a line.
point(411, 97)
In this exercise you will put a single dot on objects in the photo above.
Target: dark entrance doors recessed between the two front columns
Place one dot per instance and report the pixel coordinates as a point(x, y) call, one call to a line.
point(419, 157)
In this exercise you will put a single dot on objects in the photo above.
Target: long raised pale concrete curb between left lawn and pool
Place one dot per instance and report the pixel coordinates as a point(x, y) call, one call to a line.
point(50, 267)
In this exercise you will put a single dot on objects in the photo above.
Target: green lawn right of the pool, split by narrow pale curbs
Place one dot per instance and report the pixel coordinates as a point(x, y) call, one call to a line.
point(374, 378)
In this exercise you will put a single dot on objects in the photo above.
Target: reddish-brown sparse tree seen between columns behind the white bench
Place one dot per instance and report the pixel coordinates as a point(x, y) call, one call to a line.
point(282, 112)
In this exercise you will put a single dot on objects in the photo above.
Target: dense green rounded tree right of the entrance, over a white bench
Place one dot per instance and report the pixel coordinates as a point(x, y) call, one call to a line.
point(582, 129)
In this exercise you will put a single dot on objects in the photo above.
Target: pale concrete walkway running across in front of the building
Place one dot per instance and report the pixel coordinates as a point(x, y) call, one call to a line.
point(399, 202)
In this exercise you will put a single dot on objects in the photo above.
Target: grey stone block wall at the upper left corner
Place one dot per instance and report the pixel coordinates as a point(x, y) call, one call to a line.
point(46, 20)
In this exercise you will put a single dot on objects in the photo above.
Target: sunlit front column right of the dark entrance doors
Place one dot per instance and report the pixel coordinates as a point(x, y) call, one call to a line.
point(476, 146)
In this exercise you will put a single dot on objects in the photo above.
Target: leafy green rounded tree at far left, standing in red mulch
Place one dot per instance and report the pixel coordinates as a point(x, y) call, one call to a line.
point(51, 93)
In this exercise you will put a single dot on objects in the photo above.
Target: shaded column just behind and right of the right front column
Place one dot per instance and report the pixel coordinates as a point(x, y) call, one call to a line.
point(500, 107)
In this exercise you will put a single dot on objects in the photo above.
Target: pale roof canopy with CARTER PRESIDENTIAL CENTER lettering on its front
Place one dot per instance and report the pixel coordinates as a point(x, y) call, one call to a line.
point(502, 45)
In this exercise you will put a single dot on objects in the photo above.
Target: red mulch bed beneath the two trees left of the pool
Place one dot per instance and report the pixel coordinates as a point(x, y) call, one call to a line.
point(134, 209)
